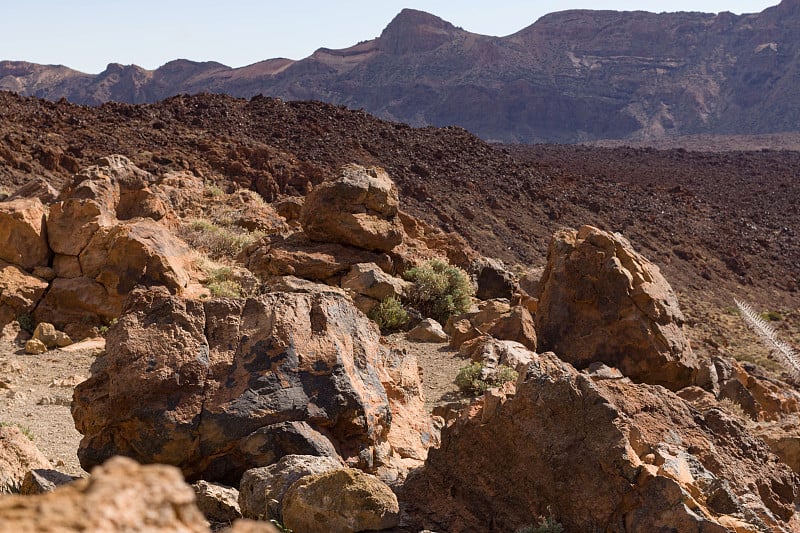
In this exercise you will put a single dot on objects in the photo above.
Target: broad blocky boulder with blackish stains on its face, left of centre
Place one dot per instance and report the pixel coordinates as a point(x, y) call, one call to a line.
point(212, 386)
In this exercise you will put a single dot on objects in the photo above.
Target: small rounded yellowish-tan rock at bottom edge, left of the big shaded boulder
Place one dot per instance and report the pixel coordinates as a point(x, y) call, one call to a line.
point(362, 502)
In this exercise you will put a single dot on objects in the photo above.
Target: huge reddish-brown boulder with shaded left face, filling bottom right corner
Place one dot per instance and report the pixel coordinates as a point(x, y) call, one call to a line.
point(598, 455)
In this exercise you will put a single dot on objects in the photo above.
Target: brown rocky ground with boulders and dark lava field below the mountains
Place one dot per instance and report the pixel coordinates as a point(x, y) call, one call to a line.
point(230, 253)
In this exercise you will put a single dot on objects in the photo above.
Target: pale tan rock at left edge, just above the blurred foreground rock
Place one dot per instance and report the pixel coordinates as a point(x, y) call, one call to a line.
point(18, 456)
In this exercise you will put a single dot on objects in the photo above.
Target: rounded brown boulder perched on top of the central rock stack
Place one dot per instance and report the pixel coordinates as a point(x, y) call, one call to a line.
point(358, 208)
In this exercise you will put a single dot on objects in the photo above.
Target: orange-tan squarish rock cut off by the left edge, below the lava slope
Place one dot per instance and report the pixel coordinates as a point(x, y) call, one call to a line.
point(23, 233)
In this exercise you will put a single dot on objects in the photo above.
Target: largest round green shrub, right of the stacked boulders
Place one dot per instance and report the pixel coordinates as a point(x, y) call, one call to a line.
point(439, 290)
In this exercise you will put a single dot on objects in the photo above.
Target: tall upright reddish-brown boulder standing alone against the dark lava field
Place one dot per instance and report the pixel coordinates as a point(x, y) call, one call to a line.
point(601, 301)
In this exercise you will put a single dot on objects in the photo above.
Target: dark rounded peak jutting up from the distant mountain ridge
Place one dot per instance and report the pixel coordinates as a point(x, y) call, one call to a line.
point(413, 31)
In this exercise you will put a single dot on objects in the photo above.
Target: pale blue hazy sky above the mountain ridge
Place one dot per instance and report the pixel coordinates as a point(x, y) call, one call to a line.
point(88, 34)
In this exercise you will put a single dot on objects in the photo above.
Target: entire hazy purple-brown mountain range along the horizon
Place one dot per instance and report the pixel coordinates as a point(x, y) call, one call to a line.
point(571, 76)
